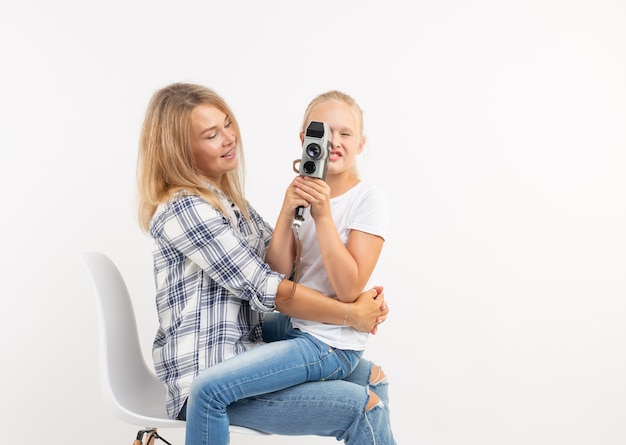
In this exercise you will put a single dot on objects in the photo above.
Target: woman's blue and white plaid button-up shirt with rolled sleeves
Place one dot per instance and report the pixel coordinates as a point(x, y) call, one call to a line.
point(211, 286)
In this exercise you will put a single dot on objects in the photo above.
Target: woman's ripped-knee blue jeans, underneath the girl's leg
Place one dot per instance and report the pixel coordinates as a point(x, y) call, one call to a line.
point(335, 408)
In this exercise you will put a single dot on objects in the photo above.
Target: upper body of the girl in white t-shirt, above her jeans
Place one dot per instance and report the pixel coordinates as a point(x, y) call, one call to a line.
point(344, 227)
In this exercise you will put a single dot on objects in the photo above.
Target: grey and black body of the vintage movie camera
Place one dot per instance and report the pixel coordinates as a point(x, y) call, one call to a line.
point(316, 150)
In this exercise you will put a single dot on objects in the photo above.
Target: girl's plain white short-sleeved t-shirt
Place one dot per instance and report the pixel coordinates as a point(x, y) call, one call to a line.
point(365, 208)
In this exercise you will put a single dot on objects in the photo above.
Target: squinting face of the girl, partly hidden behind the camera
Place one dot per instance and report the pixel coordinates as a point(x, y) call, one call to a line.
point(347, 141)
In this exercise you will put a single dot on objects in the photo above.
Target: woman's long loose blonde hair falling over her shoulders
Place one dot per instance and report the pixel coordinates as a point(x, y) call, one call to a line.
point(166, 164)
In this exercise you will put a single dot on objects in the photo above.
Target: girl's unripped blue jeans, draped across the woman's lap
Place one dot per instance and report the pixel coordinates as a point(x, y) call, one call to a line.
point(261, 370)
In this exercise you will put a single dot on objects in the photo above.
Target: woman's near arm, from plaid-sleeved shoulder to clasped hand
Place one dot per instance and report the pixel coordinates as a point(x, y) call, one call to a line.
point(249, 277)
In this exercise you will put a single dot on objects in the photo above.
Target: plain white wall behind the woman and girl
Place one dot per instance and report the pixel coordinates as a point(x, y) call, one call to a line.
point(497, 128)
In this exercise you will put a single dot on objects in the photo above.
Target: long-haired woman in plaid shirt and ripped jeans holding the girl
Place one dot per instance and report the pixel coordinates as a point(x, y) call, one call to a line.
point(212, 283)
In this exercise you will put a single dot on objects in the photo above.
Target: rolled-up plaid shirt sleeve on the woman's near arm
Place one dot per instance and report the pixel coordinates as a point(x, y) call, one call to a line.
point(201, 233)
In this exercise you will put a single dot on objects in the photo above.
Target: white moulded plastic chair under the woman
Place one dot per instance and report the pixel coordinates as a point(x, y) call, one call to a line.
point(131, 390)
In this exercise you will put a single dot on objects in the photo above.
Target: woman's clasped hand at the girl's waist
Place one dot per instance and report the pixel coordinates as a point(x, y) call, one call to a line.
point(368, 310)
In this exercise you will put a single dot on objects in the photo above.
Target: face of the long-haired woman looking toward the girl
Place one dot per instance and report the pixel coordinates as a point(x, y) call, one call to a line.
point(214, 142)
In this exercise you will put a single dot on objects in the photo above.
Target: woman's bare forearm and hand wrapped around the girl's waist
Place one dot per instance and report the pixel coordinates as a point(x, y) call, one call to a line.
point(364, 314)
